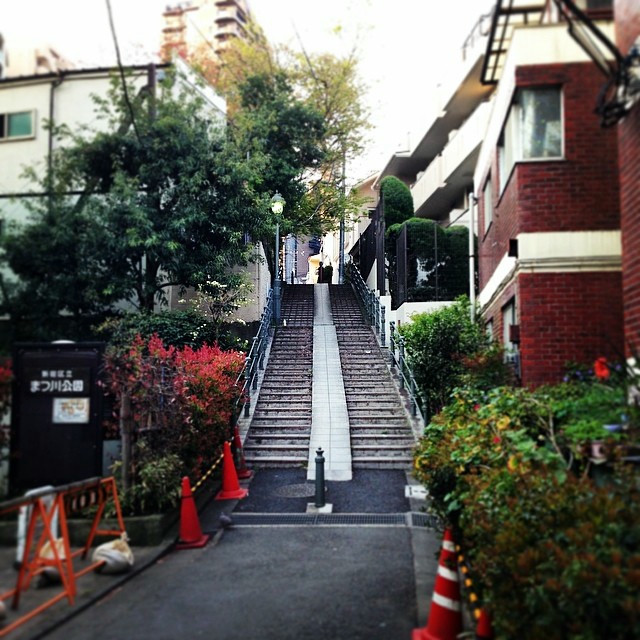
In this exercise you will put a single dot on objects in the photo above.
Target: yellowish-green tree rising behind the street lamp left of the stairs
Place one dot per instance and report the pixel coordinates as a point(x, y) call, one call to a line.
point(303, 112)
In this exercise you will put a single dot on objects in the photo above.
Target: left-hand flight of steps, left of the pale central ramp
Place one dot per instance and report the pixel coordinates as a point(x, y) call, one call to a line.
point(281, 425)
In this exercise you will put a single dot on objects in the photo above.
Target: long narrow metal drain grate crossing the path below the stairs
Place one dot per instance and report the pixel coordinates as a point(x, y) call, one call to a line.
point(335, 519)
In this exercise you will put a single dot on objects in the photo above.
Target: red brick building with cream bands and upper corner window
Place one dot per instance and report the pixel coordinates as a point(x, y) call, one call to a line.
point(547, 183)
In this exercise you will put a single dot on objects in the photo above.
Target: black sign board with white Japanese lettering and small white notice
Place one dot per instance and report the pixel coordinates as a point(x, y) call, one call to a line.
point(56, 434)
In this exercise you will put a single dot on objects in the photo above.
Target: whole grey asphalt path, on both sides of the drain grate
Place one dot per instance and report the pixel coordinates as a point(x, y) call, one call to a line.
point(278, 582)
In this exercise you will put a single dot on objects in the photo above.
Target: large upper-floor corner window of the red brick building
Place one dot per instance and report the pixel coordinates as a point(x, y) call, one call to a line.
point(533, 129)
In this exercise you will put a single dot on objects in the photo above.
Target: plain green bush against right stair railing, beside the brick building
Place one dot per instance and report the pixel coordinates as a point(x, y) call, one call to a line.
point(436, 345)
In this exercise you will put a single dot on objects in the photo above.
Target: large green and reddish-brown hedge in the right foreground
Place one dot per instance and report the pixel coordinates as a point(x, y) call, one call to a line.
point(555, 551)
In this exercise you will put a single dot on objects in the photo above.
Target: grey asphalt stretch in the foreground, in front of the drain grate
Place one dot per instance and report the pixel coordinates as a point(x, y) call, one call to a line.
point(275, 583)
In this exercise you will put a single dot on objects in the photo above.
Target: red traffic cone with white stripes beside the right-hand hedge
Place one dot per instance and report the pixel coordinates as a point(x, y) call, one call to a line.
point(445, 617)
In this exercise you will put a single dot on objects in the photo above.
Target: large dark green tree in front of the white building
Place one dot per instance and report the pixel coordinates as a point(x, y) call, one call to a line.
point(165, 201)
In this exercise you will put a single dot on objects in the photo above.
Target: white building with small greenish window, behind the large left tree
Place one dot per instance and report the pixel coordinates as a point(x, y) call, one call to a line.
point(29, 102)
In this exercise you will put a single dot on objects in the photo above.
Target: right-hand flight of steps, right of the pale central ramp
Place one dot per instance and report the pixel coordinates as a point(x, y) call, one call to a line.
point(381, 436)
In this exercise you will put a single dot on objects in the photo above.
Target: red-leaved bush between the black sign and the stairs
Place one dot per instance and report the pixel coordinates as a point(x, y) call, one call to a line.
point(172, 404)
